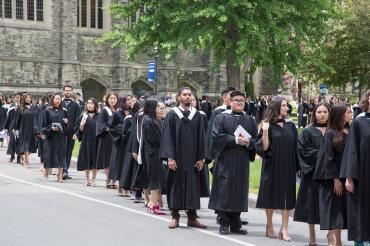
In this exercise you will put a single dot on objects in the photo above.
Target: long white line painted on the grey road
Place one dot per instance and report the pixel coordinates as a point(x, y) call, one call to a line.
point(124, 208)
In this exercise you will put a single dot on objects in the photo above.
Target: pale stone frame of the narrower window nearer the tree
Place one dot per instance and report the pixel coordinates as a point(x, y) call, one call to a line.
point(101, 17)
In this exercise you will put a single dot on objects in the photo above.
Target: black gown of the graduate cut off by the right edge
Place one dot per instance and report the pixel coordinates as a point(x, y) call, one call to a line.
point(356, 164)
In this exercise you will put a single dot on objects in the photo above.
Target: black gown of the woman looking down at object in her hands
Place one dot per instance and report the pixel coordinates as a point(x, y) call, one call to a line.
point(56, 141)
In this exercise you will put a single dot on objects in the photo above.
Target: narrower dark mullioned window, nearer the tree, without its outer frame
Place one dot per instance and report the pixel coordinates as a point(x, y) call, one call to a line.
point(90, 13)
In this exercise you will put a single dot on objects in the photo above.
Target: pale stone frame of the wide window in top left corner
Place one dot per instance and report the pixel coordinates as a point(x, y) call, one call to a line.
point(38, 22)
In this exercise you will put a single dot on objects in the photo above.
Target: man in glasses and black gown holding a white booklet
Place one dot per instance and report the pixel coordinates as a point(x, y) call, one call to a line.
point(233, 150)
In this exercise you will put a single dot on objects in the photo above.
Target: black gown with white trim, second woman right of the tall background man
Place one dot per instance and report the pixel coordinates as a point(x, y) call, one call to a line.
point(105, 140)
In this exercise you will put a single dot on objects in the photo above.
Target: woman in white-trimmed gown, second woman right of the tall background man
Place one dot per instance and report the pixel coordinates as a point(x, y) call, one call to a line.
point(104, 137)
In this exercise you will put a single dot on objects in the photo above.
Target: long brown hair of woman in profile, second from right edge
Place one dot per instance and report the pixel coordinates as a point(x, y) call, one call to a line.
point(337, 124)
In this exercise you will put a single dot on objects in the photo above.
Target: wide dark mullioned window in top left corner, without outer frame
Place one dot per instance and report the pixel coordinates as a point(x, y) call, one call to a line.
point(31, 10)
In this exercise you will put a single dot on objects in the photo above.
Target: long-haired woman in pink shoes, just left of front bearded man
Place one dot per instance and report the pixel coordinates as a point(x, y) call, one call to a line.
point(154, 113)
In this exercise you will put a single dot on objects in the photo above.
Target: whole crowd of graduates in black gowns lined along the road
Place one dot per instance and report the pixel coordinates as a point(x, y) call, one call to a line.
point(148, 150)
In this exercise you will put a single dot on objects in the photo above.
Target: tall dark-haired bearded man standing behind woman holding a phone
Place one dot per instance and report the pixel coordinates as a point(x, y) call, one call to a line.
point(73, 113)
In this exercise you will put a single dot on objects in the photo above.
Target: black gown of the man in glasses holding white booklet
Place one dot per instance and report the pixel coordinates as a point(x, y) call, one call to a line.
point(230, 184)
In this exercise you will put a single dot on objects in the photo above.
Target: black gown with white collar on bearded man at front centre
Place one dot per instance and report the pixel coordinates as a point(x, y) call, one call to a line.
point(183, 141)
